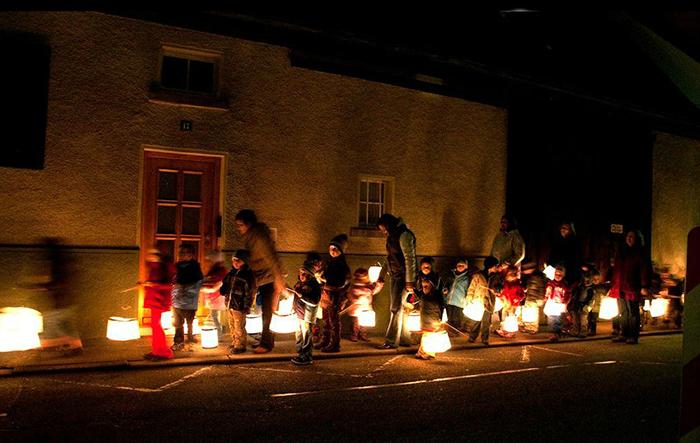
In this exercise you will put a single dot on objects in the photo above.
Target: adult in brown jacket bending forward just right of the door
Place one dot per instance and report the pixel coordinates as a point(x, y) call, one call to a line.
point(266, 267)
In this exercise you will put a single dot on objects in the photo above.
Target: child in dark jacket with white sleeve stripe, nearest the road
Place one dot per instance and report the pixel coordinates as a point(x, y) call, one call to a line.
point(308, 294)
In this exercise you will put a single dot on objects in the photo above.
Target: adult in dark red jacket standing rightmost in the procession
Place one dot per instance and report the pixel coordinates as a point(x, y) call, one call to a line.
point(631, 280)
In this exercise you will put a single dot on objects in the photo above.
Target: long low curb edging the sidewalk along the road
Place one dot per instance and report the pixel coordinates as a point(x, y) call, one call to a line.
point(230, 360)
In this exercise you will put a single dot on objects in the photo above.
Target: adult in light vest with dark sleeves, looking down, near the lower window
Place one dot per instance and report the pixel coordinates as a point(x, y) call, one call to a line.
point(401, 258)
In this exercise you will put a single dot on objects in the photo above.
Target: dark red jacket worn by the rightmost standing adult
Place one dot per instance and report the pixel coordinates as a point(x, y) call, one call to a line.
point(631, 273)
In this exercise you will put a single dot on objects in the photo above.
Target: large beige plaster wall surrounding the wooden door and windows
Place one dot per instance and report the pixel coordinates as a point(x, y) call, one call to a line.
point(296, 141)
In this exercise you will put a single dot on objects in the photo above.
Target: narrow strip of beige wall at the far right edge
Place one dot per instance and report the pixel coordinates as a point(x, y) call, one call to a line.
point(676, 199)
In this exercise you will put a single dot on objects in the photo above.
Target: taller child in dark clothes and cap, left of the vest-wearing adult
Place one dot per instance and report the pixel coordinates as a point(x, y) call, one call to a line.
point(337, 276)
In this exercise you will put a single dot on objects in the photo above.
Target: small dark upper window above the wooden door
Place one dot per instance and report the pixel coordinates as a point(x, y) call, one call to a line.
point(188, 71)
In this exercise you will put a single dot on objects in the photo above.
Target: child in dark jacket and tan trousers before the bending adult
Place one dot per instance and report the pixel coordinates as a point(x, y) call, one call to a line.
point(238, 288)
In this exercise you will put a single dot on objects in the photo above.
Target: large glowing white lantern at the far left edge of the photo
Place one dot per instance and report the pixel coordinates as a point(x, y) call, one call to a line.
point(19, 329)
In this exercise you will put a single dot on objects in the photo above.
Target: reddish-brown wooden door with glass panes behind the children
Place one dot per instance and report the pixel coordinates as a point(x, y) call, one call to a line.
point(180, 206)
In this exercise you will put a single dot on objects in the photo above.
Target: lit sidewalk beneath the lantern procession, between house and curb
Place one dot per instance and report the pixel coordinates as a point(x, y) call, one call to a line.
point(106, 354)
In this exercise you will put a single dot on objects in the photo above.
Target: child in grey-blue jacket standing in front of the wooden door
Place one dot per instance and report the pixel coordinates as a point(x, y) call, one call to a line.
point(188, 280)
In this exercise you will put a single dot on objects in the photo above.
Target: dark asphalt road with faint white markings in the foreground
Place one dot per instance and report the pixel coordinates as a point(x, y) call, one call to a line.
point(568, 392)
